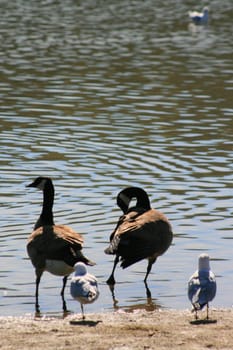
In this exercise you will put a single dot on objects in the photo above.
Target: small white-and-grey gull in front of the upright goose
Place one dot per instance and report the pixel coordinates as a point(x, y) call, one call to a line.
point(84, 286)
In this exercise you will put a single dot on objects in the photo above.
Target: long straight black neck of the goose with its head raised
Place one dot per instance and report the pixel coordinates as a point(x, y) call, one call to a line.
point(46, 216)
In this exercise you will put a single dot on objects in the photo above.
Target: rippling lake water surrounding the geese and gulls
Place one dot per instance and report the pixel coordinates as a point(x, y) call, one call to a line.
point(104, 95)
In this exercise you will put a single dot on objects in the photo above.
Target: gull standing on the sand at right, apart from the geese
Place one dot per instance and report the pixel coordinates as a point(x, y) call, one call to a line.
point(202, 285)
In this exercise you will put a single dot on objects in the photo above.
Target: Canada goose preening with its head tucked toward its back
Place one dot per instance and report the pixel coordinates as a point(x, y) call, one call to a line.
point(140, 233)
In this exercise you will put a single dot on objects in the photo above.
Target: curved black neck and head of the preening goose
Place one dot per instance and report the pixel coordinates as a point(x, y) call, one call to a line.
point(125, 196)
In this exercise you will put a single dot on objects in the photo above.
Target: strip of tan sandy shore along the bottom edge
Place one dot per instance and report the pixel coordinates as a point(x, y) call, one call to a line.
point(160, 329)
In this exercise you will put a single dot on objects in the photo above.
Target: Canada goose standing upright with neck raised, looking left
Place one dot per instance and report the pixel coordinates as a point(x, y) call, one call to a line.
point(53, 248)
